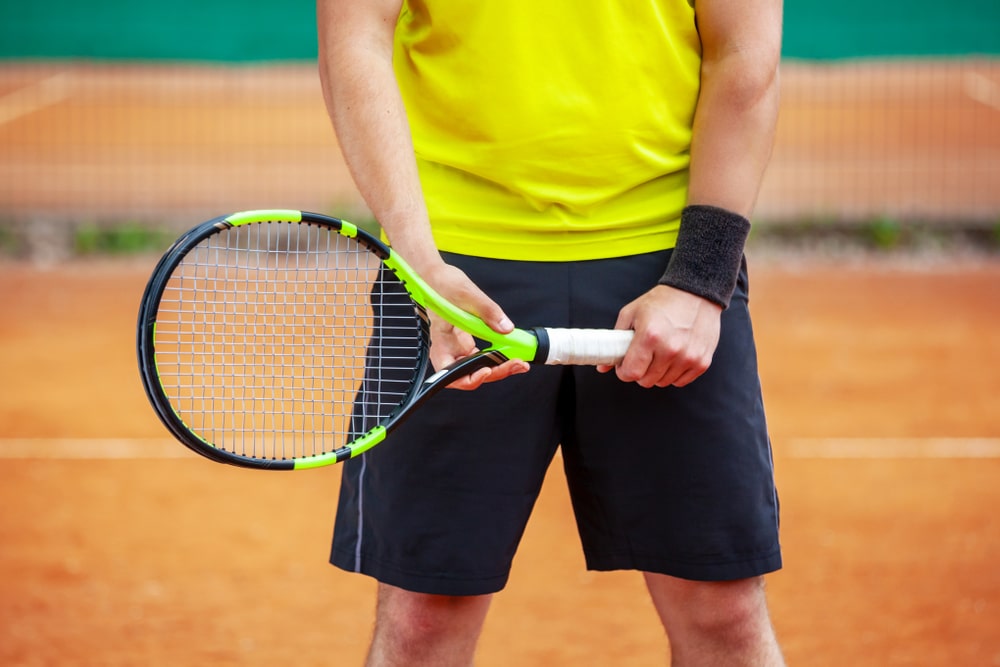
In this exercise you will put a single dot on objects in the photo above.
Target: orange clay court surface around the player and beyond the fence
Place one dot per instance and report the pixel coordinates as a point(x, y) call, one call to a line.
point(119, 547)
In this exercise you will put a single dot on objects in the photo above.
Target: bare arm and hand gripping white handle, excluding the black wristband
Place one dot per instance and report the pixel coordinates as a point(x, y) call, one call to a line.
point(734, 126)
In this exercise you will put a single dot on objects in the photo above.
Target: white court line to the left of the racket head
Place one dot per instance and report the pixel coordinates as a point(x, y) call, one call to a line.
point(92, 448)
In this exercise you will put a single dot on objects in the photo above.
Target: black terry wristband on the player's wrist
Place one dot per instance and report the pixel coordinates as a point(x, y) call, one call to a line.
point(709, 252)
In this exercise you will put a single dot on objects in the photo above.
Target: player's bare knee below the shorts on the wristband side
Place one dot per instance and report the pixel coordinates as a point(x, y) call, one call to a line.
point(715, 623)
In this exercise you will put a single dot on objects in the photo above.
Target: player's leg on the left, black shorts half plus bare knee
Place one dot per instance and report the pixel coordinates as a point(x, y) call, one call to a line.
point(441, 508)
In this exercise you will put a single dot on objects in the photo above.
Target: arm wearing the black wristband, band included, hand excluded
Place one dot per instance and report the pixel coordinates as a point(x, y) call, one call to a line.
point(733, 132)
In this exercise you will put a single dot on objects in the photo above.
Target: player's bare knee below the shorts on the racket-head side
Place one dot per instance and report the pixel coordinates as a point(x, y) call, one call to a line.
point(414, 629)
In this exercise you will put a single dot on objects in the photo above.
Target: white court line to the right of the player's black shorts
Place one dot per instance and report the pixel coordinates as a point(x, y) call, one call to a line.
point(892, 448)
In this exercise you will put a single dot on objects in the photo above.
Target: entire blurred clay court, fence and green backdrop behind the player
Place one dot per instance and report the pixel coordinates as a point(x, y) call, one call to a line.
point(875, 260)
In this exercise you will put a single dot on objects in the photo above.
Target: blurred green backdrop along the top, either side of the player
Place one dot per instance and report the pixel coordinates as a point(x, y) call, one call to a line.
point(242, 30)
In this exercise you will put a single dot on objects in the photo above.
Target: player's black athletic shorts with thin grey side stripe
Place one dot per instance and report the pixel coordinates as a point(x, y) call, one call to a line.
point(671, 480)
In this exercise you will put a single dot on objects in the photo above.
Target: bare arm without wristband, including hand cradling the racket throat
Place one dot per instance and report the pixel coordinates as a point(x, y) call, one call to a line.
point(368, 115)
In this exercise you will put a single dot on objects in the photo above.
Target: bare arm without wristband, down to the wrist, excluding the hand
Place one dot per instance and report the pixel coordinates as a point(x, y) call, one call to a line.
point(368, 116)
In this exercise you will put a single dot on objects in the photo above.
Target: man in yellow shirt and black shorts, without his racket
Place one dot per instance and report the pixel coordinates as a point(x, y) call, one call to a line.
point(585, 164)
